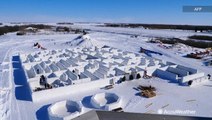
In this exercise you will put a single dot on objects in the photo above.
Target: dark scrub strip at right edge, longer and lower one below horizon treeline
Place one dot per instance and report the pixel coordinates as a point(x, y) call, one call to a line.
point(198, 44)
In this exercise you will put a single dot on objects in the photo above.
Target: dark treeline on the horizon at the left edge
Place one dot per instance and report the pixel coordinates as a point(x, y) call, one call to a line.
point(7, 29)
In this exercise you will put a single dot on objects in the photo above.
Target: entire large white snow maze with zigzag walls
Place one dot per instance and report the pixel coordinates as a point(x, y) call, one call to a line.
point(84, 69)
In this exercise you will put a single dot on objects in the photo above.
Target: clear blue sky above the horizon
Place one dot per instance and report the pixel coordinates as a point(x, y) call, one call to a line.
point(135, 11)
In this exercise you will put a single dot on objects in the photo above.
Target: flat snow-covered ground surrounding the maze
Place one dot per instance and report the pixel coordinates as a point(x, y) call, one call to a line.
point(15, 100)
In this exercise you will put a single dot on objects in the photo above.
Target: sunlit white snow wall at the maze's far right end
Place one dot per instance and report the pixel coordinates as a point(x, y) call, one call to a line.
point(192, 77)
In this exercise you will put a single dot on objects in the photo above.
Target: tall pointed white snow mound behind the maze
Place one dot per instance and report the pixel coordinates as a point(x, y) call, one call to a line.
point(81, 41)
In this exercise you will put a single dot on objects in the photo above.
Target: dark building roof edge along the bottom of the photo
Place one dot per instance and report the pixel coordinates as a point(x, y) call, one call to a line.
point(108, 115)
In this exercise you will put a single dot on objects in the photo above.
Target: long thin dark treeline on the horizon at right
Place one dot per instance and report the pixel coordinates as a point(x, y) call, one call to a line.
point(162, 26)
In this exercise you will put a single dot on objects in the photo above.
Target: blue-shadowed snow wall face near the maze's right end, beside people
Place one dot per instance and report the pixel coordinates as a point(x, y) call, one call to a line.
point(166, 75)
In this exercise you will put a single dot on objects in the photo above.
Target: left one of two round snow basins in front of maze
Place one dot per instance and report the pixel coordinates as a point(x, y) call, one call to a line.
point(65, 110)
